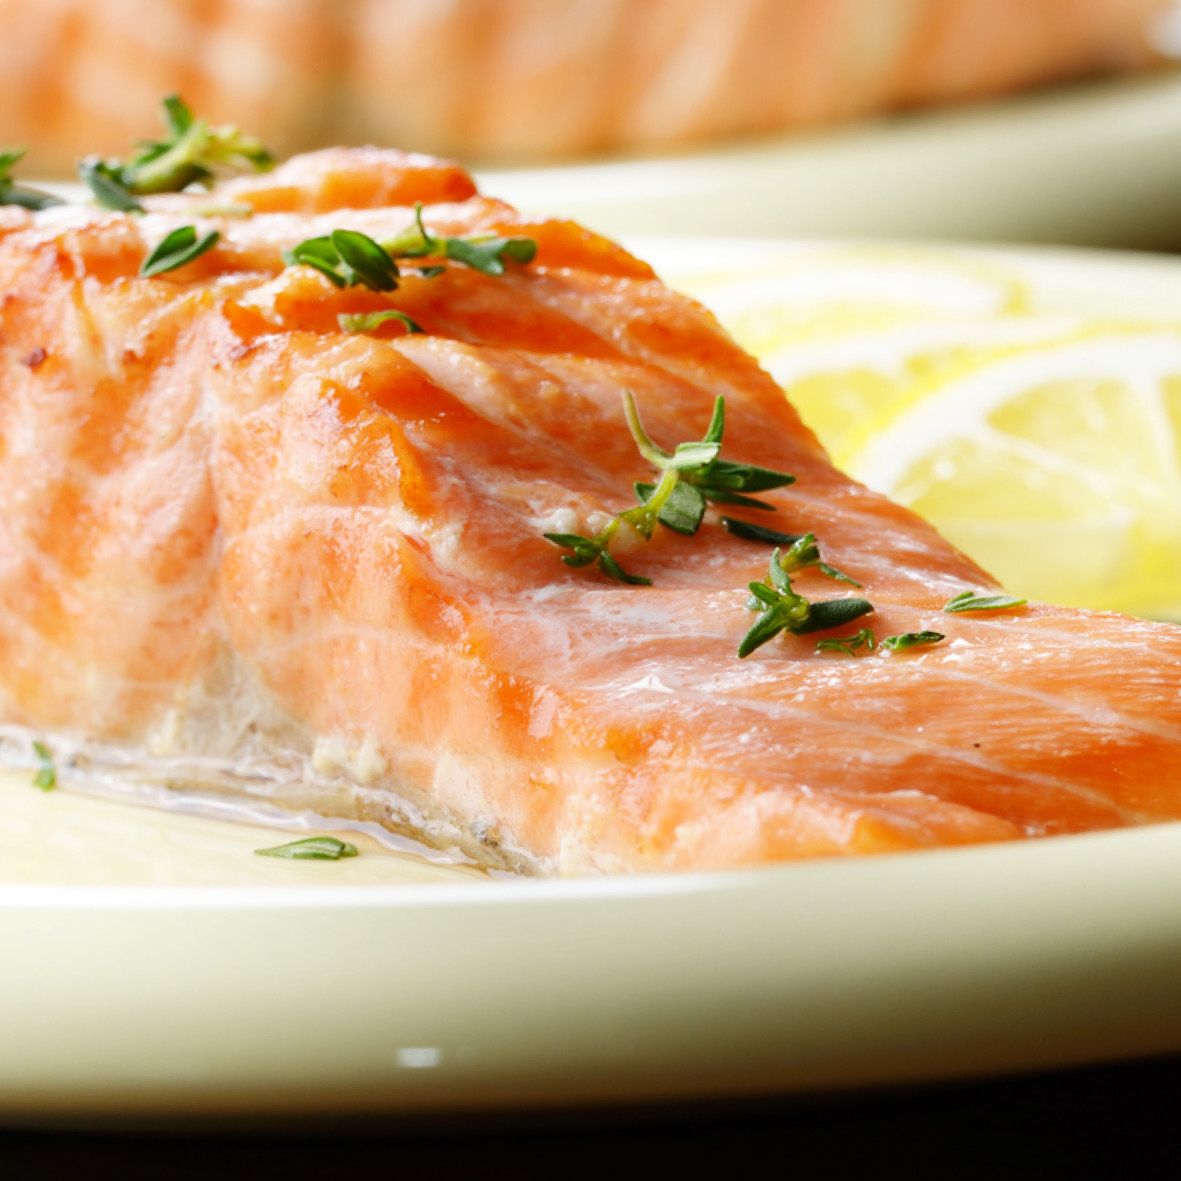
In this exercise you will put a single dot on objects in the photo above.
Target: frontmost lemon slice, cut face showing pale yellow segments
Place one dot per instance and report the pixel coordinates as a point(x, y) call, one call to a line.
point(1056, 466)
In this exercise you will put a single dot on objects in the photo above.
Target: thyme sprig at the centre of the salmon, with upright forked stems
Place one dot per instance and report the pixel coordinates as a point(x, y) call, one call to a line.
point(690, 478)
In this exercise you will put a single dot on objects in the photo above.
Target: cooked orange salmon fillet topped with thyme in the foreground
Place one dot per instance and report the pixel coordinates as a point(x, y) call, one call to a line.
point(246, 552)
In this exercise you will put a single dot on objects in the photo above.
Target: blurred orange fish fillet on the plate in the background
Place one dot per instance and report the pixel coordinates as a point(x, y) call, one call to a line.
point(527, 81)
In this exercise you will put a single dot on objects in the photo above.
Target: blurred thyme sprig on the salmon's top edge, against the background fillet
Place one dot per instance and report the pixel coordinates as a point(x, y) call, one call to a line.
point(193, 153)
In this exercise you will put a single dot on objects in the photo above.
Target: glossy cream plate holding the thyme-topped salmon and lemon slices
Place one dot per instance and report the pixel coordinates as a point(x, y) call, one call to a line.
point(152, 965)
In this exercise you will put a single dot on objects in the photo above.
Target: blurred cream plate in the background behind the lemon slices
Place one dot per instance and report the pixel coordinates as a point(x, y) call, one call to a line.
point(1095, 164)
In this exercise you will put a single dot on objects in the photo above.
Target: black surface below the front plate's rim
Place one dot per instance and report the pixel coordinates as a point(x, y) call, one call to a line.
point(1102, 1121)
